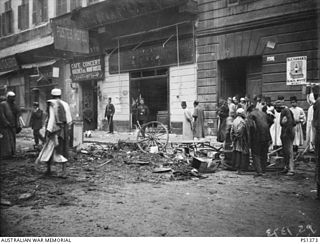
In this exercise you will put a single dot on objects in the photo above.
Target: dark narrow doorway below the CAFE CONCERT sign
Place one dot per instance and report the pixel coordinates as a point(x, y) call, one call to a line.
point(89, 105)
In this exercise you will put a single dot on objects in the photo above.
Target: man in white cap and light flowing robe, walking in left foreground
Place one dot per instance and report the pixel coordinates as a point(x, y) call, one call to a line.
point(55, 150)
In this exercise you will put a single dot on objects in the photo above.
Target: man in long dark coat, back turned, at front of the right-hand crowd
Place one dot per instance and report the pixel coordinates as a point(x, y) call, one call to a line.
point(260, 138)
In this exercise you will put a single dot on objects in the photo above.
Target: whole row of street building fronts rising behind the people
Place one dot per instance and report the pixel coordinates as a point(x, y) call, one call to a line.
point(165, 51)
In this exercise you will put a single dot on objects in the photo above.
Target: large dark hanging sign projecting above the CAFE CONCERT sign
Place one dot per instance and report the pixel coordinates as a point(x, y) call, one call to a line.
point(71, 39)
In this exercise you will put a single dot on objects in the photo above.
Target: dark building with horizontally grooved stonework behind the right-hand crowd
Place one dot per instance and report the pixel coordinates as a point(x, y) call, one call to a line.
point(246, 46)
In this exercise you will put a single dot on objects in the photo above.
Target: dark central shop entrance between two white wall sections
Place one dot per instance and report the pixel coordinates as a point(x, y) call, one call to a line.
point(153, 87)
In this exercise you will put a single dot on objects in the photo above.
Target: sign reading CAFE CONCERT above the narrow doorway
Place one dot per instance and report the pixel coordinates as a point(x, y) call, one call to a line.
point(91, 68)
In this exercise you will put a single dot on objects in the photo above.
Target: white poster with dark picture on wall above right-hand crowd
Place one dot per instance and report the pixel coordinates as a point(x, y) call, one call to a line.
point(297, 70)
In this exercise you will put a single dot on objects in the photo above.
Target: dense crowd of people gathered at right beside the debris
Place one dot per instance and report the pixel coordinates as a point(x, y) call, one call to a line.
point(253, 128)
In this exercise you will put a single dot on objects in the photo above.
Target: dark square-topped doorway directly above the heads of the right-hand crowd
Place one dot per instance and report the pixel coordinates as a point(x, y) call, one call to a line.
point(240, 76)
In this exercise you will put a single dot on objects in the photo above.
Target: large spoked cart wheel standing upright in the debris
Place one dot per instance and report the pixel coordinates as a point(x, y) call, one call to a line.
point(152, 134)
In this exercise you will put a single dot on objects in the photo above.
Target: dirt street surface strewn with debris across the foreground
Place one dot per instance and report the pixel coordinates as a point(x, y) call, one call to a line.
point(113, 191)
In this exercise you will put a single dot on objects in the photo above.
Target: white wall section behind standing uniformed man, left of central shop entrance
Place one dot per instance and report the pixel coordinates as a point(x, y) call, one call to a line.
point(115, 86)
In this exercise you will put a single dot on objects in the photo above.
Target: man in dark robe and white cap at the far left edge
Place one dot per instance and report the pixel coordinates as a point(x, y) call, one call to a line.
point(9, 125)
